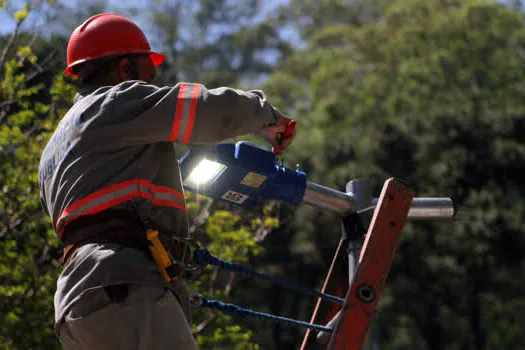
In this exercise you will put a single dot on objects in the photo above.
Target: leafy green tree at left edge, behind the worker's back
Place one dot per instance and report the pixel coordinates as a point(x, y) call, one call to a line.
point(28, 248)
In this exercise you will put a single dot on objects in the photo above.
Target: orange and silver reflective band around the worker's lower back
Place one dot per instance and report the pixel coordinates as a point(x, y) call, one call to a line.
point(117, 194)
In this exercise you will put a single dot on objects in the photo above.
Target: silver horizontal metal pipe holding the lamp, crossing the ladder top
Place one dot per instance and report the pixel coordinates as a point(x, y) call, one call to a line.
point(344, 203)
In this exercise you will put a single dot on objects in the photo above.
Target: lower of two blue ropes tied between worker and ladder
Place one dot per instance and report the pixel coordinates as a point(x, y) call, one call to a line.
point(214, 304)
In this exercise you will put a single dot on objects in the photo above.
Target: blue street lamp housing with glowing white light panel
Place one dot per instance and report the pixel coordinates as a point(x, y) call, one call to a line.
point(240, 173)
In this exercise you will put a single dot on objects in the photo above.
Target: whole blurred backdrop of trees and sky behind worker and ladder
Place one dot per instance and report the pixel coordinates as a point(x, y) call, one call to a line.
point(431, 92)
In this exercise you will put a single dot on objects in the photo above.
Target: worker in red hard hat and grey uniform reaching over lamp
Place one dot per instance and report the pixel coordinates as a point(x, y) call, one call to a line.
point(110, 172)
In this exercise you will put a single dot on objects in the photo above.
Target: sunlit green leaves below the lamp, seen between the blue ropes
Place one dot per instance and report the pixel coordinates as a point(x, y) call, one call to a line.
point(231, 237)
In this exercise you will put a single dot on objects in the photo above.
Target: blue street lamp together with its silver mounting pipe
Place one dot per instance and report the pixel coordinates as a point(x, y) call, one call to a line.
point(246, 175)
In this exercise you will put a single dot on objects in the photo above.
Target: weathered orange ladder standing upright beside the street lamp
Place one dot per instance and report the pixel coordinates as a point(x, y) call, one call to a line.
point(376, 257)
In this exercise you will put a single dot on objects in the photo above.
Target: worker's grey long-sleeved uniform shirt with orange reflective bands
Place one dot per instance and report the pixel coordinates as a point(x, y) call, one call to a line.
point(114, 150)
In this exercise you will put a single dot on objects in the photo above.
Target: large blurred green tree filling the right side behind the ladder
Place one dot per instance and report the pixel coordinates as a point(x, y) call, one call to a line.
point(431, 94)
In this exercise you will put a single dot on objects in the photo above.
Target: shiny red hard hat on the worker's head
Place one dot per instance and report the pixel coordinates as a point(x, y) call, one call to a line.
point(107, 34)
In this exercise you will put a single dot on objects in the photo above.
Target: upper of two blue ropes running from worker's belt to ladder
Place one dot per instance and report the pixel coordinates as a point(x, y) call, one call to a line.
point(203, 258)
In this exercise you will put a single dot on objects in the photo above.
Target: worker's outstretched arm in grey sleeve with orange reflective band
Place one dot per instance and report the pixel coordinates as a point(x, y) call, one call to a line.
point(190, 113)
